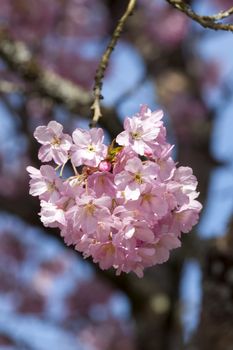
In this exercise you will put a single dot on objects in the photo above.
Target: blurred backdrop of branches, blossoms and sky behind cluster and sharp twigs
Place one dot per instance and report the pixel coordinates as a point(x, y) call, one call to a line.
point(50, 298)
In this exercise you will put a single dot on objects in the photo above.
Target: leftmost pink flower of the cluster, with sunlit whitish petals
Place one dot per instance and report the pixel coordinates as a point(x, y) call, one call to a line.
point(45, 183)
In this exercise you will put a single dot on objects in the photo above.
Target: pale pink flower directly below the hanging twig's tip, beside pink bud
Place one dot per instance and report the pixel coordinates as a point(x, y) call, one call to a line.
point(88, 148)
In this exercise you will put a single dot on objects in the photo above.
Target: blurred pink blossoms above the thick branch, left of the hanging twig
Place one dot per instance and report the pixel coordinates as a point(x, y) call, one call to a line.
point(55, 29)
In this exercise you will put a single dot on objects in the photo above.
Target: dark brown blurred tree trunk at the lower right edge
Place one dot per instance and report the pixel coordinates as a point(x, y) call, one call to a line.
point(216, 321)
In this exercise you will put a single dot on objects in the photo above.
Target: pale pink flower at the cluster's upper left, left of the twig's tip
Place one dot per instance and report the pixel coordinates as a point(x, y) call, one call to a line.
point(55, 144)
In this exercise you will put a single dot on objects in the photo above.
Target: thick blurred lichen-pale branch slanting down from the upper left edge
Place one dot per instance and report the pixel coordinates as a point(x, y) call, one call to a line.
point(48, 84)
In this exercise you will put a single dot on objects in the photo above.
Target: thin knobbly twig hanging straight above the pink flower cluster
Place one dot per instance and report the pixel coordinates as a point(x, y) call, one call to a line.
point(104, 63)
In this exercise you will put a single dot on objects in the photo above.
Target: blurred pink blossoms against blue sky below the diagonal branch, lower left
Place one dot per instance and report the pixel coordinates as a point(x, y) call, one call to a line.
point(34, 296)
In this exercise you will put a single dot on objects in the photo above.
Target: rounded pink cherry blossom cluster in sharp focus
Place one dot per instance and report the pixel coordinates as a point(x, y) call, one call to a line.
point(127, 203)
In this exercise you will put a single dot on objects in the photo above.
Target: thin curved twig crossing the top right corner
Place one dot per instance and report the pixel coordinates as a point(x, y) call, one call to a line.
point(205, 21)
